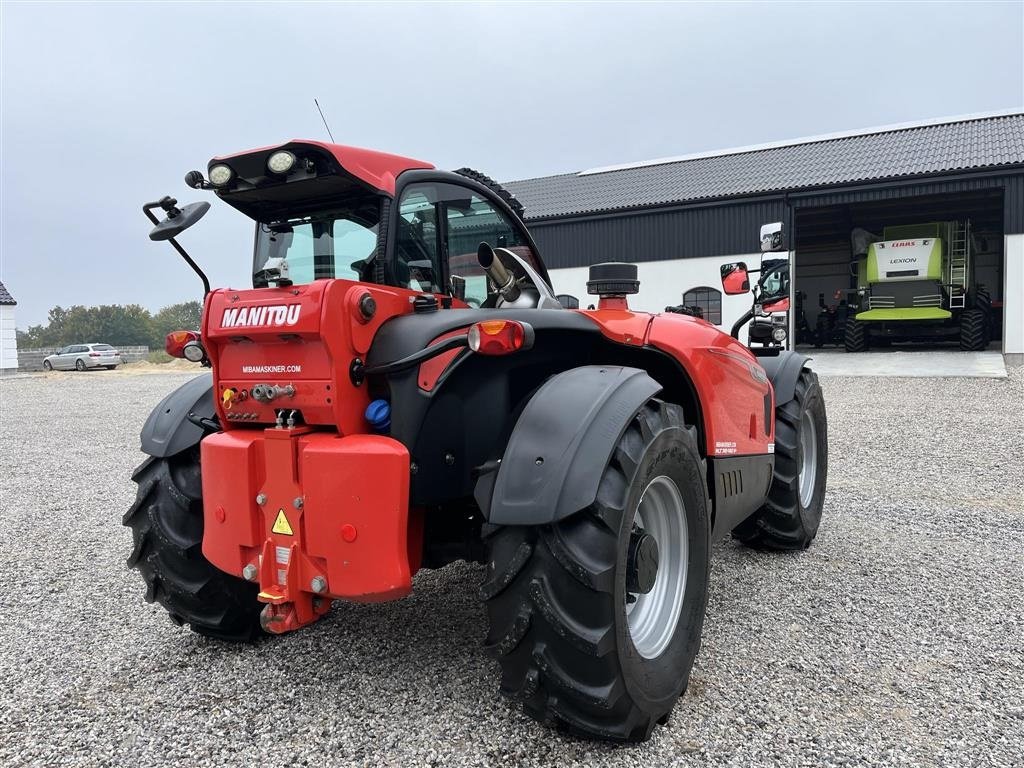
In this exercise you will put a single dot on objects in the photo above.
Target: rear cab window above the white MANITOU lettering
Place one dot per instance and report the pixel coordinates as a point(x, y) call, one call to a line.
point(337, 244)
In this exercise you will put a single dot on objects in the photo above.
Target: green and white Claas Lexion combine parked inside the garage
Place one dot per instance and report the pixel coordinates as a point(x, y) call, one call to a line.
point(918, 284)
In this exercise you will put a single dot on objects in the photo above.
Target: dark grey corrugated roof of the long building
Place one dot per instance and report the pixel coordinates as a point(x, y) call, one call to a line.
point(895, 152)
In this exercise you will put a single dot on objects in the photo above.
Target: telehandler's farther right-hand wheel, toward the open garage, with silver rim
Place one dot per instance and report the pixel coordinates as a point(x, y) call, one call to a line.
point(791, 517)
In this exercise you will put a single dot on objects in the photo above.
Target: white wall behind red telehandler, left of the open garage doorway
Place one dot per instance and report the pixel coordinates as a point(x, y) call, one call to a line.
point(664, 283)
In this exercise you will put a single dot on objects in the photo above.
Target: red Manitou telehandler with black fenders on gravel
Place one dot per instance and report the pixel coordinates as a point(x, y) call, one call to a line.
point(402, 389)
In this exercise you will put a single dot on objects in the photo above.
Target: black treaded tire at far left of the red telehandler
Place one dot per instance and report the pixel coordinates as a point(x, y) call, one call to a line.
point(167, 529)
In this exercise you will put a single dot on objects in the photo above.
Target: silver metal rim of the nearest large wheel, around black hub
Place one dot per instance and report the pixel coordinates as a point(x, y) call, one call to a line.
point(653, 618)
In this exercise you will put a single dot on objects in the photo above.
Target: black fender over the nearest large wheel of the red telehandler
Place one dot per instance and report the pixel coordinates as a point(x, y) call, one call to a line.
point(561, 445)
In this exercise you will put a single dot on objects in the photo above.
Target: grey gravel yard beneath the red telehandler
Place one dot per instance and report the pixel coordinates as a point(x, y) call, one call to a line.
point(894, 641)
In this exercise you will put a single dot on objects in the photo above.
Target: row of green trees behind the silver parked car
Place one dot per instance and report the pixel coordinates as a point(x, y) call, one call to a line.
point(121, 325)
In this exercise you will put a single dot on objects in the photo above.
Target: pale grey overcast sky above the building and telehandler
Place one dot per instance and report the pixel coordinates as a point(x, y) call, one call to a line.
point(107, 106)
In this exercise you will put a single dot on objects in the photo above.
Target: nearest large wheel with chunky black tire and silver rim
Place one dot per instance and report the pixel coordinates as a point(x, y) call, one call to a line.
point(596, 620)
